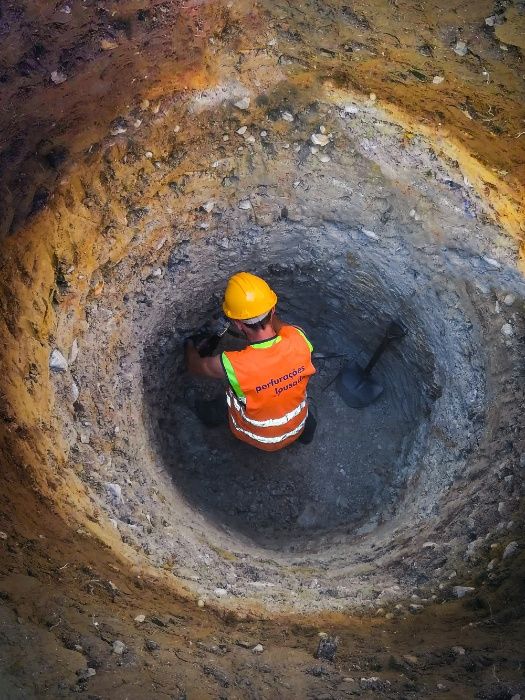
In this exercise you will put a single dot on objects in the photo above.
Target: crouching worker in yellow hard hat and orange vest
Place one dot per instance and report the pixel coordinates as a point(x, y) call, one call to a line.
point(266, 404)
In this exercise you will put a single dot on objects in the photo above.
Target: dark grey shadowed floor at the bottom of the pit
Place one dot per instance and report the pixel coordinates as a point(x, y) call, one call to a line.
point(352, 472)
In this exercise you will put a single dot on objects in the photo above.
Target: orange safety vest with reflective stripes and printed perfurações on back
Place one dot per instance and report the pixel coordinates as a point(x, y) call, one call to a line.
point(266, 396)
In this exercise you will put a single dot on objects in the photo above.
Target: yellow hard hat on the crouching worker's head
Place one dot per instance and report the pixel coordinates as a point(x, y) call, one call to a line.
point(248, 297)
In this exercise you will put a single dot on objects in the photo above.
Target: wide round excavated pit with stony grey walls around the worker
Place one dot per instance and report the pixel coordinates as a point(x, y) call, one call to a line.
point(348, 254)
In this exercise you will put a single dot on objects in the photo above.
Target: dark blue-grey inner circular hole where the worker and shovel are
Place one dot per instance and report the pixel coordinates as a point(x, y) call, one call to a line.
point(355, 470)
